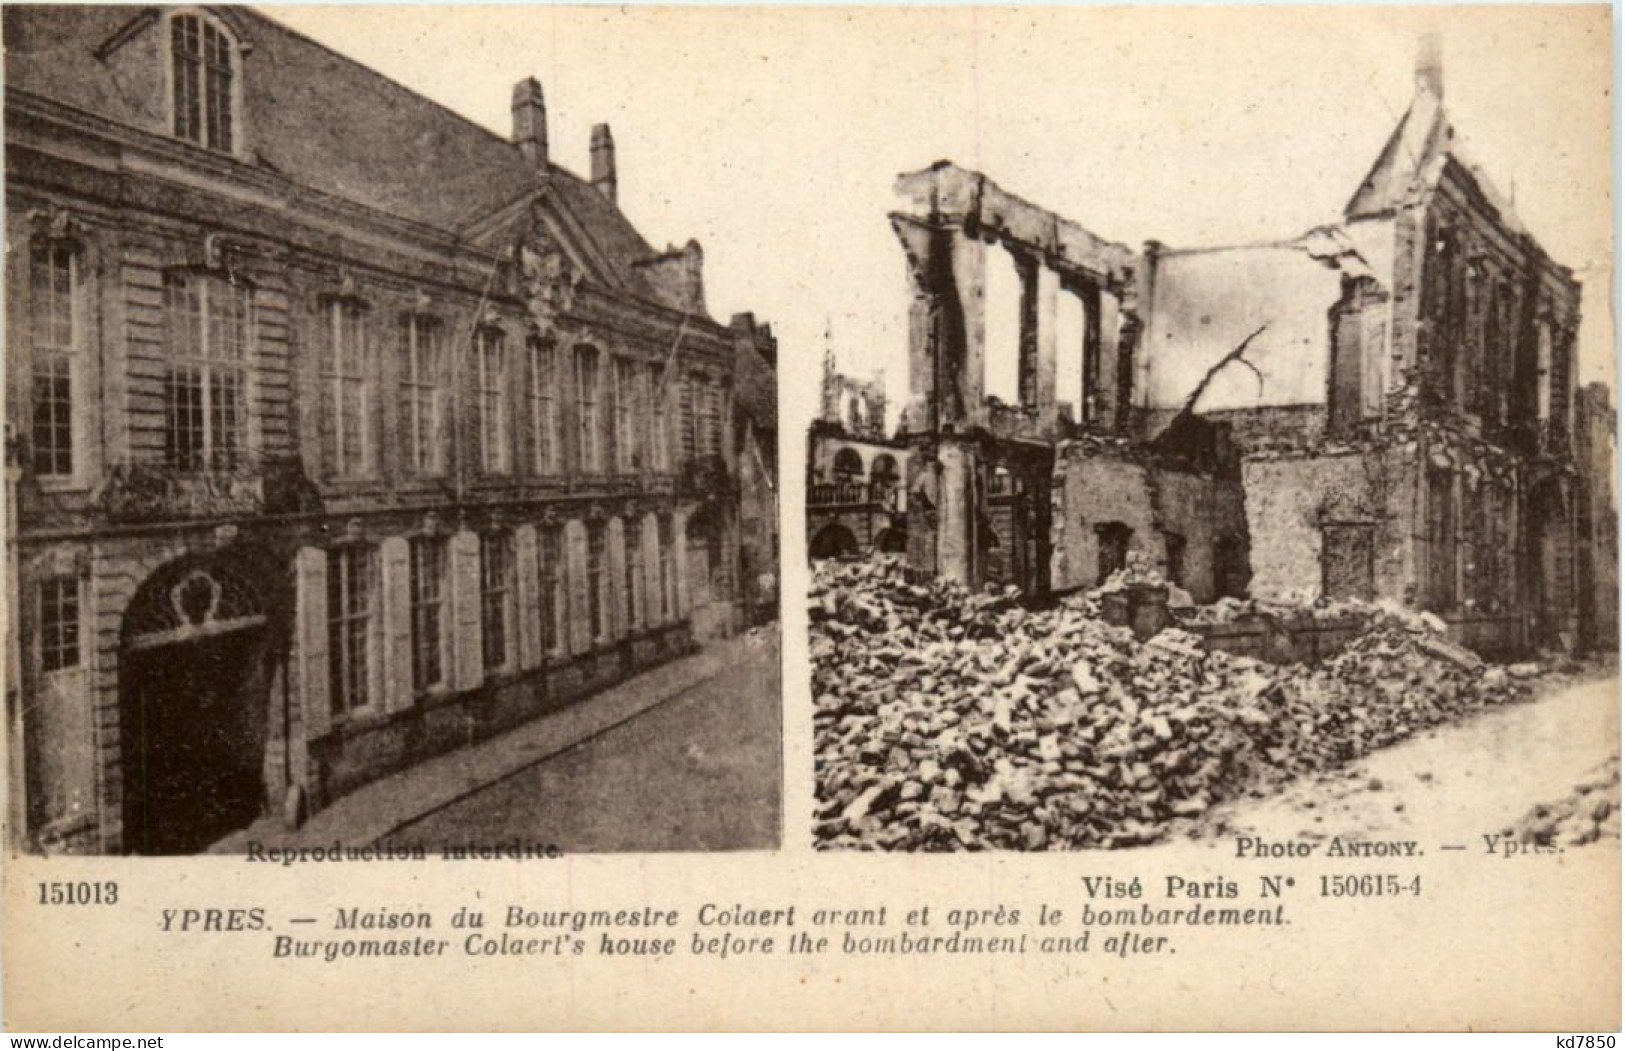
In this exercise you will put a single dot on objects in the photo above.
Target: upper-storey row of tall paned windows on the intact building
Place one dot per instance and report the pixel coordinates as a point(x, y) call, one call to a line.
point(623, 410)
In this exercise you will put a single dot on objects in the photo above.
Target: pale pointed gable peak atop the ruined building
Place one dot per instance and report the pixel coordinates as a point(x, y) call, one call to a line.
point(1415, 160)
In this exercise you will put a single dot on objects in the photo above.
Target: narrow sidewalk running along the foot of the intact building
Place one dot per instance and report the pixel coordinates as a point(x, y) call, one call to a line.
point(376, 810)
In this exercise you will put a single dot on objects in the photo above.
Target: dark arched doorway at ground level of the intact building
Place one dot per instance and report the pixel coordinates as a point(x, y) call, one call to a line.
point(196, 667)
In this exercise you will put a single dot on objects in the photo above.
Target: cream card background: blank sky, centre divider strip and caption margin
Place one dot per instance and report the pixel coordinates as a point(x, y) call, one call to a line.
point(773, 136)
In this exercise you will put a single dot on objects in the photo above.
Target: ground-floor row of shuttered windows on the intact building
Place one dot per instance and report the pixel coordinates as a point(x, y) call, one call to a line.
point(355, 603)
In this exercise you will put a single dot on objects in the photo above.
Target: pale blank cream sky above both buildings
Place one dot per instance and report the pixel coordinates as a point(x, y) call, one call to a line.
point(774, 136)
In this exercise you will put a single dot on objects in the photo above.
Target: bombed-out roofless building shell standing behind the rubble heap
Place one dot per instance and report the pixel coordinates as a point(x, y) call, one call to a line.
point(1380, 409)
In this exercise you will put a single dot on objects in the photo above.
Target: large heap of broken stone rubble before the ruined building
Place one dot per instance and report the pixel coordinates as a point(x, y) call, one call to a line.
point(947, 720)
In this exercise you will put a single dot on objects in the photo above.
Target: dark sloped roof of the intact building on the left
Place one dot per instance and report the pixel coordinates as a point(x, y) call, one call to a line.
point(321, 121)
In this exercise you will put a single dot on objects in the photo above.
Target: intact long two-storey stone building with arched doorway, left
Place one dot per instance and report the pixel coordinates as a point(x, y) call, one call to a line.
point(342, 431)
